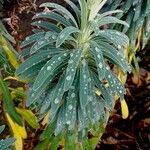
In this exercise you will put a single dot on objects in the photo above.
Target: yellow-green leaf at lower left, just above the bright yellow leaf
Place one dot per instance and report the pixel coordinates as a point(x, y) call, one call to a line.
point(29, 117)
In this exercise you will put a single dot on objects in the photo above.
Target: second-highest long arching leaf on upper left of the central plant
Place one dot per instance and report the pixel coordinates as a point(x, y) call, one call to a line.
point(53, 16)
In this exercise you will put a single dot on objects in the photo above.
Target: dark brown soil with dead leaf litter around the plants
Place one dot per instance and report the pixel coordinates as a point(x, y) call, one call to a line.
point(132, 133)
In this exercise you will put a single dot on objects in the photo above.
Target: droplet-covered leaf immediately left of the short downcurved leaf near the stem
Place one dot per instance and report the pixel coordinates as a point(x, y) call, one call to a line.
point(49, 38)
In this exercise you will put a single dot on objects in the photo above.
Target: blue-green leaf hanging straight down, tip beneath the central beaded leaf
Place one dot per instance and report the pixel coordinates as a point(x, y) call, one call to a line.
point(71, 104)
